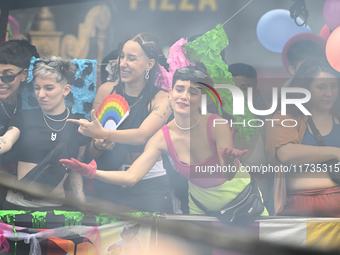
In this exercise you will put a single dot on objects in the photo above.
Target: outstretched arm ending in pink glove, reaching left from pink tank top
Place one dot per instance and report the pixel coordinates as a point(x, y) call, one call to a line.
point(134, 174)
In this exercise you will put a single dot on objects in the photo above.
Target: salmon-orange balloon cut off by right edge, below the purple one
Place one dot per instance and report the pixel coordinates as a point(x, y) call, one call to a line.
point(333, 49)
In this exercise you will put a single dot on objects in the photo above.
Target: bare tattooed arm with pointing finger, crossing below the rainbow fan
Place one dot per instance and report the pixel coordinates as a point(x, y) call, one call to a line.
point(156, 119)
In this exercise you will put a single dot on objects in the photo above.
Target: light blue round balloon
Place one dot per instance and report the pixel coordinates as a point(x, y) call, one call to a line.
point(276, 27)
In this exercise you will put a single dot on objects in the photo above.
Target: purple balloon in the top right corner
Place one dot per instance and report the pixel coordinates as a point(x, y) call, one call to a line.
point(331, 13)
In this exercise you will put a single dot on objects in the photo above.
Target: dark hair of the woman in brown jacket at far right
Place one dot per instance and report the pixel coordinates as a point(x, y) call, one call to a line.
point(308, 71)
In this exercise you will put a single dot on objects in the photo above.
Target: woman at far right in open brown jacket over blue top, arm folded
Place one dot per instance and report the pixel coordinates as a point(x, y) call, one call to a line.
point(312, 191)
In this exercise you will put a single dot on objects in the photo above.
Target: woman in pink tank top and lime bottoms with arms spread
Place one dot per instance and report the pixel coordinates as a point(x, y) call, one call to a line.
point(196, 145)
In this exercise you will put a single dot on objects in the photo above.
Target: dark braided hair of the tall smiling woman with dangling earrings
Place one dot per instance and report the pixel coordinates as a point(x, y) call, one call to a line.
point(149, 45)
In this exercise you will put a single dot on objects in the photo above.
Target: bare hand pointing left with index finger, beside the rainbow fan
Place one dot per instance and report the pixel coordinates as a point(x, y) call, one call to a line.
point(91, 129)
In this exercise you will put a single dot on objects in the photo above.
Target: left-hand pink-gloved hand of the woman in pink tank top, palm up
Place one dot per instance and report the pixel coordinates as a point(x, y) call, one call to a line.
point(88, 170)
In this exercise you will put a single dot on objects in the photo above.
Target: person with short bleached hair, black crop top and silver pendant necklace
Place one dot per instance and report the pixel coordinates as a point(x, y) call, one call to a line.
point(37, 132)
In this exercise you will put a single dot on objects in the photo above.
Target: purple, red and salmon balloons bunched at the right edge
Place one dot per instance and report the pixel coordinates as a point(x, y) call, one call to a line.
point(331, 32)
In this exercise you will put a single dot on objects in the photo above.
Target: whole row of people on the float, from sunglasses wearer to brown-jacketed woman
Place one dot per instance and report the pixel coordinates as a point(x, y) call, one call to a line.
point(149, 163)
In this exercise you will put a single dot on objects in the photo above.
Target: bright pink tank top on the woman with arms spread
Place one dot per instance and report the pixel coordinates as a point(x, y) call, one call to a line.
point(205, 180)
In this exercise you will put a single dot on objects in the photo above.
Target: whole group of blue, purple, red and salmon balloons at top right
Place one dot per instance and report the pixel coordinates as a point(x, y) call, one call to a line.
point(276, 28)
